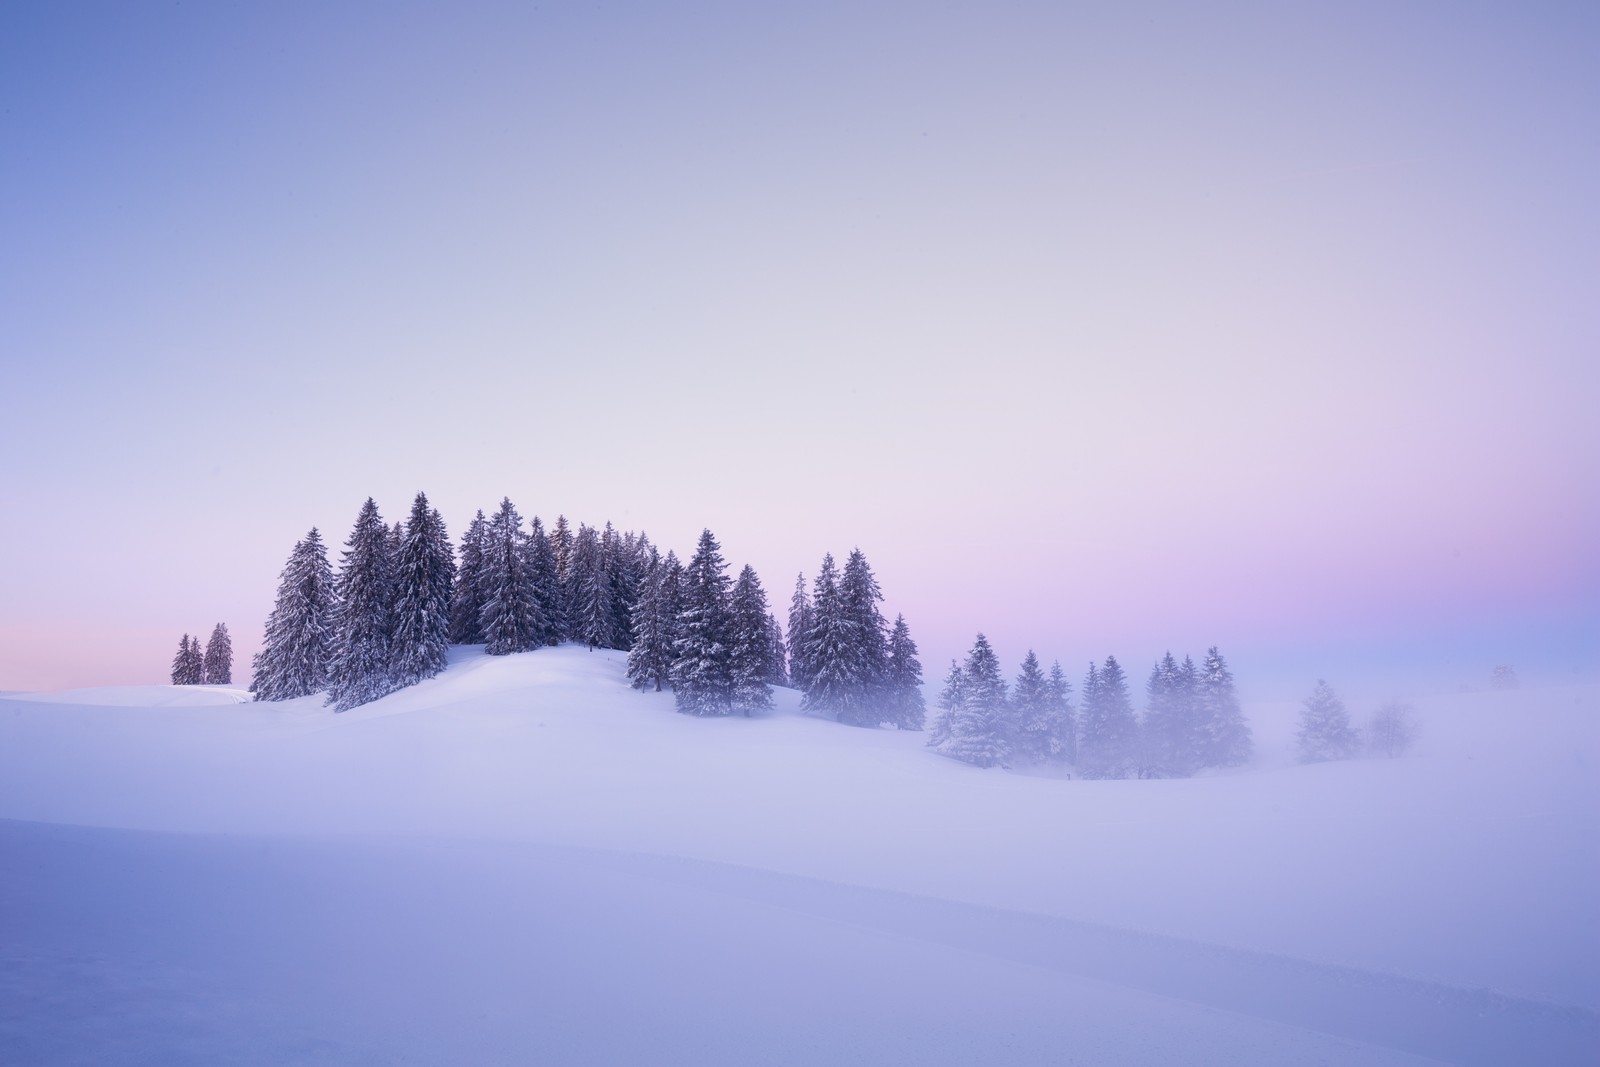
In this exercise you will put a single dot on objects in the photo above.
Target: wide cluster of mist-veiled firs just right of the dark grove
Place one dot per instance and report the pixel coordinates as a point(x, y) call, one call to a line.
point(1193, 717)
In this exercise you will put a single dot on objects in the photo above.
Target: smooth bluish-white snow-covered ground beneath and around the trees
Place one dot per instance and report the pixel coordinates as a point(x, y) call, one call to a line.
point(526, 861)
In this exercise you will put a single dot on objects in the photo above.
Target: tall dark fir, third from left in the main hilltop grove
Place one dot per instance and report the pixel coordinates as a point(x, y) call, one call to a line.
point(420, 639)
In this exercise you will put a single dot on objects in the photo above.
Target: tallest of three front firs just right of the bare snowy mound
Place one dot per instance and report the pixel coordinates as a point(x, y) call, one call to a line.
point(703, 665)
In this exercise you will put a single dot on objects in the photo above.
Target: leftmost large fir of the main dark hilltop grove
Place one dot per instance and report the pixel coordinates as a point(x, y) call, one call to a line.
point(298, 647)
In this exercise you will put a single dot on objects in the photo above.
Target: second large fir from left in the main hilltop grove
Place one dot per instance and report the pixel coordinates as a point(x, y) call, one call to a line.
point(364, 620)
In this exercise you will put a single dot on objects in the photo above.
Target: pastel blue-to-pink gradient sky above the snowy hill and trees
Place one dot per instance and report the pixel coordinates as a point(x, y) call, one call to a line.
point(1100, 329)
